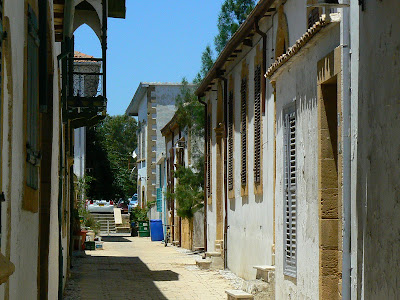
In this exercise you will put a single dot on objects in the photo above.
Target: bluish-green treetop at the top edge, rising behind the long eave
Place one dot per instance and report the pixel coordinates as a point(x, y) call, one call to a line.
point(233, 14)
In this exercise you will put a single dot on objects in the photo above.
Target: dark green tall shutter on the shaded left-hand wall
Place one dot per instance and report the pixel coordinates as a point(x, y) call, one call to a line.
point(32, 143)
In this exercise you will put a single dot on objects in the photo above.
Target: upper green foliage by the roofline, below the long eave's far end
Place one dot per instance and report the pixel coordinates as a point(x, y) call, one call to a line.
point(189, 111)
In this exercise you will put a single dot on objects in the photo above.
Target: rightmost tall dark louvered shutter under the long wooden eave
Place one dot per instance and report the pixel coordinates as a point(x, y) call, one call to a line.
point(257, 124)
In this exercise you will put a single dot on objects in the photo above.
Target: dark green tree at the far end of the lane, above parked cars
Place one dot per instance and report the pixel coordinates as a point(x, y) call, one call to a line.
point(110, 145)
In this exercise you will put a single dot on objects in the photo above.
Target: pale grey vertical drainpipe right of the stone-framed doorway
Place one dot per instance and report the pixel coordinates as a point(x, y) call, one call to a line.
point(346, 139)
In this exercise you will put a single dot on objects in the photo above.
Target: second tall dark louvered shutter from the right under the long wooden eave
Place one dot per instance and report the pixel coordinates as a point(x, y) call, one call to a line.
point(243, 113)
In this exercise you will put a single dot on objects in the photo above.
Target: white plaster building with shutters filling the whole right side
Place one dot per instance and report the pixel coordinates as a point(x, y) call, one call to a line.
point(327, 215)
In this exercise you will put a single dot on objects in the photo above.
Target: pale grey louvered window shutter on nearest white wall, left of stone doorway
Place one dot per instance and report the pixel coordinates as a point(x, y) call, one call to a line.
point(290, 209)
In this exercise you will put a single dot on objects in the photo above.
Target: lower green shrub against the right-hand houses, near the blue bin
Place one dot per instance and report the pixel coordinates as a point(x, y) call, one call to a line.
point(189, 189)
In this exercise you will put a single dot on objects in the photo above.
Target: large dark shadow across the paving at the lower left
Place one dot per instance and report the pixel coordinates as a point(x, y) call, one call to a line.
point(111, 277)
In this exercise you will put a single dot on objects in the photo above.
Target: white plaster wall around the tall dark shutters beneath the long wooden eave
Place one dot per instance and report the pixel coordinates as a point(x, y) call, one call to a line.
point(250, 218)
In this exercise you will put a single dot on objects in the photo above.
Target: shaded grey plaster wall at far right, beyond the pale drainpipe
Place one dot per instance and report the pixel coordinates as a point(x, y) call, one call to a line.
point(378, 169)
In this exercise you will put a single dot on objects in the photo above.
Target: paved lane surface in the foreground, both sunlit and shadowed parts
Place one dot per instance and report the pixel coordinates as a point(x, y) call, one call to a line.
point(136, 268)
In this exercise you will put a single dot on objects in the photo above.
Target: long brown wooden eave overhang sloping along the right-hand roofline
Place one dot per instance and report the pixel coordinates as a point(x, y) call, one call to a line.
point(263, 8)
